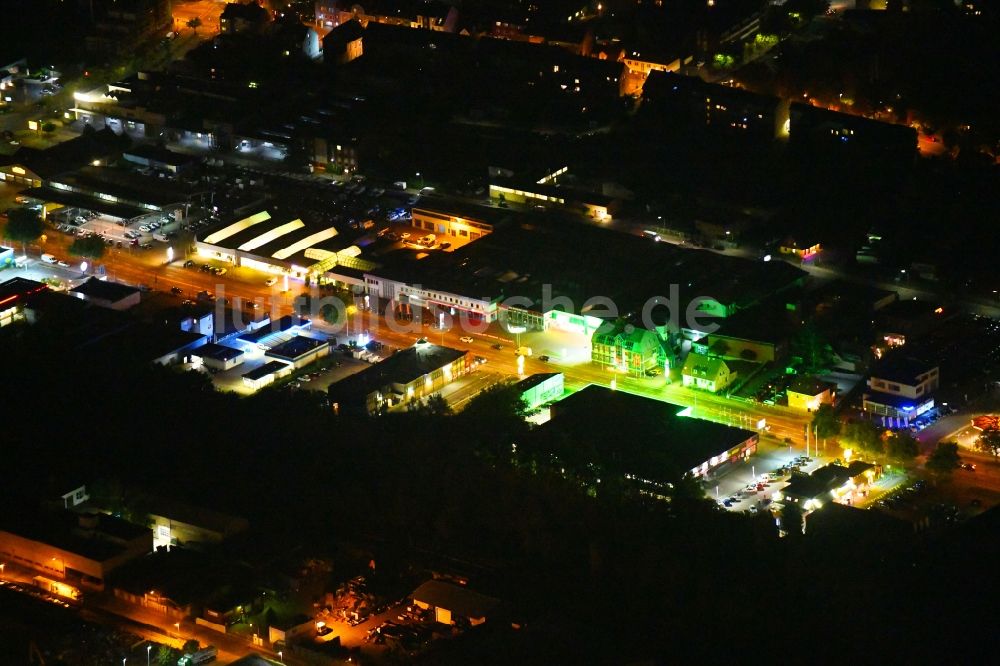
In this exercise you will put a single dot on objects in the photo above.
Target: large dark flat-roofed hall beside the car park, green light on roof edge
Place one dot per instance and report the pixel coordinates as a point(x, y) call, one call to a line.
point(652, 443)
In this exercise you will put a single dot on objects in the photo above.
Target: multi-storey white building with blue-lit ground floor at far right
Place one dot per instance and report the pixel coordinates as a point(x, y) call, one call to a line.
point(901, 388)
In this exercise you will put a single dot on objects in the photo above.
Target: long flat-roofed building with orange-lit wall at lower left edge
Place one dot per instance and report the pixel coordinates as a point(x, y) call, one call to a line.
point(81, 549)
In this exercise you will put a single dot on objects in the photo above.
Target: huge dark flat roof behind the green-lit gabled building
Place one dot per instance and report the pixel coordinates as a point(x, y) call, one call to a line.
point(581, 261)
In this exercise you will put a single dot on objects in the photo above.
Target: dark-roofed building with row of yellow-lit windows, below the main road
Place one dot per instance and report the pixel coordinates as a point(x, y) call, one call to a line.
point(410, 374)
